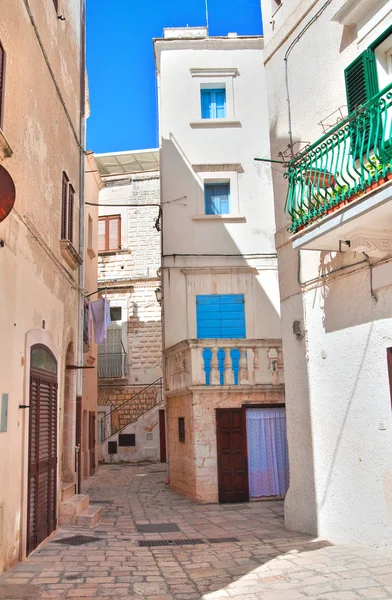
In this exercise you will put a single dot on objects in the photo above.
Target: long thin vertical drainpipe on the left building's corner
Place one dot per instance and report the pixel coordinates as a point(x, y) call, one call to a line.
point(82, 144)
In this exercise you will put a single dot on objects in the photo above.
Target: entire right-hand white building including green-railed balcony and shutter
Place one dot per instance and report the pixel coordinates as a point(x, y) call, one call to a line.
point(335, 267)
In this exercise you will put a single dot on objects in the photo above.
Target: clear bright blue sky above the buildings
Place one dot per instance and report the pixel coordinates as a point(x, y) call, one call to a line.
point(120, 61)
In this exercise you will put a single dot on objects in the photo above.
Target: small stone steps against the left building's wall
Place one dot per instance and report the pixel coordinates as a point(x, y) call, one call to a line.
point(75, 509)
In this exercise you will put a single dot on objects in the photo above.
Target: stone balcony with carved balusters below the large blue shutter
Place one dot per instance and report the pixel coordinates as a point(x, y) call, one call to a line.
point(224, 364)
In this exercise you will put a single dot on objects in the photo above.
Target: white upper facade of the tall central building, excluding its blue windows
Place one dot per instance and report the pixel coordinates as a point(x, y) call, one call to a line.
point(215, 248)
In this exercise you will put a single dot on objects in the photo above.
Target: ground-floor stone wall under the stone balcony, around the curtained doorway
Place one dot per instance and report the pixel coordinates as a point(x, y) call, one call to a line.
point(193, 463)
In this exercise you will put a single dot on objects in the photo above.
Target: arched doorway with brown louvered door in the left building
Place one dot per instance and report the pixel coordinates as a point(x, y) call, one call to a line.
point(42, 462)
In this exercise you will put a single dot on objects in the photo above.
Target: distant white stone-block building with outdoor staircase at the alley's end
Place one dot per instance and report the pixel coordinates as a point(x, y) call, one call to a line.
point(130, 409)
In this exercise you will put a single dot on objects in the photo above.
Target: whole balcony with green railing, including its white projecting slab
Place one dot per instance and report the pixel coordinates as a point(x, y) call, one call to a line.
point(339, 187)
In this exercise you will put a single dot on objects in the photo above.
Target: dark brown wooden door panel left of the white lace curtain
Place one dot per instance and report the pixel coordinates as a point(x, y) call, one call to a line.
point(232, 455)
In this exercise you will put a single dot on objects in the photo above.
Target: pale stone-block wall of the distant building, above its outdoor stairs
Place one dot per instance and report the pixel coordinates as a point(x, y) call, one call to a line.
point(131, 274)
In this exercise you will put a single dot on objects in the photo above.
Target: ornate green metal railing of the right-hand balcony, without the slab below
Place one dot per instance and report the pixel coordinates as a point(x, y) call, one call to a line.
point(349, 160)
